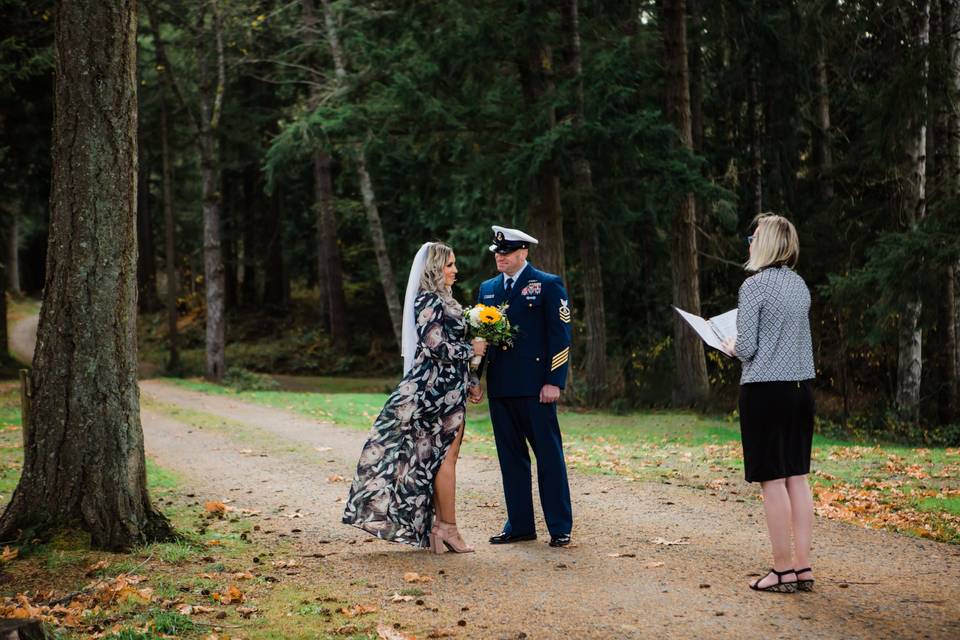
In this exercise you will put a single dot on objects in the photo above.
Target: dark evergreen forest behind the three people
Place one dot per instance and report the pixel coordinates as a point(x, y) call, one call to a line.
point(293, 156)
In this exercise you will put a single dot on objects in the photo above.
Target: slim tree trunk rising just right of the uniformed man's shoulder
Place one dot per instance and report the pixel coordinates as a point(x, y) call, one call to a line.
point(585, 214)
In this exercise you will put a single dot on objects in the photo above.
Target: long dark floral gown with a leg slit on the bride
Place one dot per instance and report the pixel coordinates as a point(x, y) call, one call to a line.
point(392, 493)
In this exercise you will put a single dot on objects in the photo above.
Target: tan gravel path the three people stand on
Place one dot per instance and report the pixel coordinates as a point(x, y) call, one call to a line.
point(615, 582)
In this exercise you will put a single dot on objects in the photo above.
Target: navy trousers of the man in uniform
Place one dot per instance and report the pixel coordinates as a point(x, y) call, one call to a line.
point(517, 421)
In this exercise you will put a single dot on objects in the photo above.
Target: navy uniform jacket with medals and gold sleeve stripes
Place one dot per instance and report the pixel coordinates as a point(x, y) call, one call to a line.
point(539, 310)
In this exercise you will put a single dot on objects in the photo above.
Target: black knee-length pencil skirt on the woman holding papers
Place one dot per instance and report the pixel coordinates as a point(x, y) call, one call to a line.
point(776, 428)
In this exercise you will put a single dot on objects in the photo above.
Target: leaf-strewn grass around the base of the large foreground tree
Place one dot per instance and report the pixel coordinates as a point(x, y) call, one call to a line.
point(145, 594)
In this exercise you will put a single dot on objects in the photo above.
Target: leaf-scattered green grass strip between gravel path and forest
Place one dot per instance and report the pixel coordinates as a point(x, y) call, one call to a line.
point(913, 490)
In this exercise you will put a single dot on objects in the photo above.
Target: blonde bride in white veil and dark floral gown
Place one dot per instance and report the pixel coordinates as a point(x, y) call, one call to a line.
point(407, 468)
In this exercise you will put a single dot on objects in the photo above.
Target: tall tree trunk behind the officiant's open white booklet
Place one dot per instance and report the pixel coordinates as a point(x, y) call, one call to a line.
point(692, 385)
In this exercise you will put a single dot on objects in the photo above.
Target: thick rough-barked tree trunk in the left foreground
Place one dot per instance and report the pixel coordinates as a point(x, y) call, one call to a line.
point(83, 443)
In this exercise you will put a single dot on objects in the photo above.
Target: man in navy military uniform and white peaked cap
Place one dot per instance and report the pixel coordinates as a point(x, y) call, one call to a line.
point(524, 383)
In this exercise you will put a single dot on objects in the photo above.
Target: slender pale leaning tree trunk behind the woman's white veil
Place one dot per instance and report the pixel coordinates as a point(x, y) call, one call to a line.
point(387, 280)
